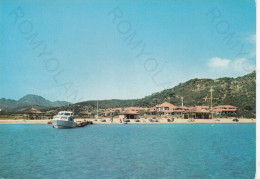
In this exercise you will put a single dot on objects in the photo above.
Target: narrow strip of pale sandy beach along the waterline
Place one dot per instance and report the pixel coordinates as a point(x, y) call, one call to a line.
point(142, 121)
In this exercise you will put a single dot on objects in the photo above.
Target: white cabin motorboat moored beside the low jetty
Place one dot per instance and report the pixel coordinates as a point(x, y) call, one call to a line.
point(63, 120)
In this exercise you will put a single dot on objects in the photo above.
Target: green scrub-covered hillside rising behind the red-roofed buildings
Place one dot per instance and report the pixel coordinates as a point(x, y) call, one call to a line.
point(240, 92)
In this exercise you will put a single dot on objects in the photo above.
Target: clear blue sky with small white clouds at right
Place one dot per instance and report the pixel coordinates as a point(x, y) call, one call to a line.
point(94, 50)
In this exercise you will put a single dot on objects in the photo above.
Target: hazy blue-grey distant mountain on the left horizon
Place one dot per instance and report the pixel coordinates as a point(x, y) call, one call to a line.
point(30, 100)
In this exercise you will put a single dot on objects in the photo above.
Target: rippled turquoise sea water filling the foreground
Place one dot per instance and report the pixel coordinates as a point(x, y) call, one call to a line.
point(128, 151)
